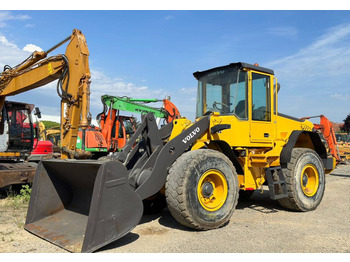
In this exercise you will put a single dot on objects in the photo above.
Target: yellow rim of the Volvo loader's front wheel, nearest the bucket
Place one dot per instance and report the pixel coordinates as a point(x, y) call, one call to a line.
point(212, 190)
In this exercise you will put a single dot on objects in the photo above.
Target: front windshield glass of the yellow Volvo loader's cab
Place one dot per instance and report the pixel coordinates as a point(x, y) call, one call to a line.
point(223, 91)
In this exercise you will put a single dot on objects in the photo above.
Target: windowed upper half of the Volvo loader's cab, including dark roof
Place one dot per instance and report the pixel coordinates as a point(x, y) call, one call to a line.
point(225, 90)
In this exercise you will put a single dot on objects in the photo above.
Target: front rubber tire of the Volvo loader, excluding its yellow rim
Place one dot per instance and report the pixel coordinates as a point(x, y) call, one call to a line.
point(181, 189)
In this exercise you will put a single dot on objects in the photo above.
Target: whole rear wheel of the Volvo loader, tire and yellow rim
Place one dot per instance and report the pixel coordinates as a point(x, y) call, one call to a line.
point(305, 180)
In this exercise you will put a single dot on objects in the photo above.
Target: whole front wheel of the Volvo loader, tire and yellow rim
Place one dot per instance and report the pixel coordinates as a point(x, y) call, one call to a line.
point(202, 189)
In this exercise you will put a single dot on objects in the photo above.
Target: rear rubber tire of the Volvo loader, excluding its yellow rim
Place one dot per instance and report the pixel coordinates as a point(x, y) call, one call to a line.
point(296, 199)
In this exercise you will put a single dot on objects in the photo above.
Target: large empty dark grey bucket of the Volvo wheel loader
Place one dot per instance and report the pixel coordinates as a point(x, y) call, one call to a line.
point(82, 205)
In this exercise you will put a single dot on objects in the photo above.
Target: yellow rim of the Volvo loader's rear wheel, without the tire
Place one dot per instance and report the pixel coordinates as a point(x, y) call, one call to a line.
point(309, 180)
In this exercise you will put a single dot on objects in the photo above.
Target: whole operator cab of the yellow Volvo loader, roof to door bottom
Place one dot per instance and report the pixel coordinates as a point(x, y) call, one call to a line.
point(244, 93)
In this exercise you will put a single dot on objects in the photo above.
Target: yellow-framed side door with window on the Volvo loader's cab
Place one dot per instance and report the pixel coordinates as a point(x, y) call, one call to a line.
point(261, 127)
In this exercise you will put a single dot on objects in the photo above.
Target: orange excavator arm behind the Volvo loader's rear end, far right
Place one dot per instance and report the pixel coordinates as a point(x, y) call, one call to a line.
point(326, 131)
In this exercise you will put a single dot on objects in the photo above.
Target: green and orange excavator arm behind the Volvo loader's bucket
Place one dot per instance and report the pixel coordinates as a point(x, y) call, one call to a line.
point(117, 129)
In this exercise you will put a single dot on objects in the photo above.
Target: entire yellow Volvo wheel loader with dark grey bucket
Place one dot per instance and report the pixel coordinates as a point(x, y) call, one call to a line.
point(239, 141)
